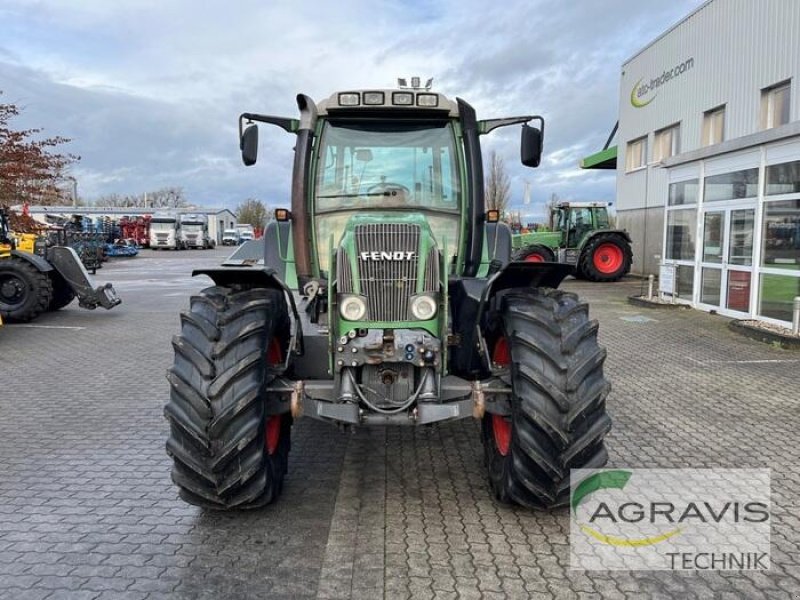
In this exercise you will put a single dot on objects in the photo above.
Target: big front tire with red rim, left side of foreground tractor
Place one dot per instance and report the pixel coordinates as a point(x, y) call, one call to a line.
point(229, 451)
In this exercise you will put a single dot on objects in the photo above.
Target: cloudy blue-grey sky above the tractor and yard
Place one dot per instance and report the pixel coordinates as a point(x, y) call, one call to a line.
point(150, 90)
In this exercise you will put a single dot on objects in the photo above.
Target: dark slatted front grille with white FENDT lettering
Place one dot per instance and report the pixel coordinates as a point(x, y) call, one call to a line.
point(388, 284)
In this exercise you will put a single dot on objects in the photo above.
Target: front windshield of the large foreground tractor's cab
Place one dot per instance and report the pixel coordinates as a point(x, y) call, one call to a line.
point(380, 166)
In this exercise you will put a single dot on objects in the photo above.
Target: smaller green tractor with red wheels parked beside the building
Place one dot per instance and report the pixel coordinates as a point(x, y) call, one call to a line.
point(582, 238)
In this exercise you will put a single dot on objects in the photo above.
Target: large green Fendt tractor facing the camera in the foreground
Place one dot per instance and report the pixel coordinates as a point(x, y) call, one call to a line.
point(385, 295)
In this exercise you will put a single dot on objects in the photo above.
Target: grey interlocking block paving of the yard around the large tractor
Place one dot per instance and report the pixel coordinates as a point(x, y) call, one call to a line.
point(87, 509)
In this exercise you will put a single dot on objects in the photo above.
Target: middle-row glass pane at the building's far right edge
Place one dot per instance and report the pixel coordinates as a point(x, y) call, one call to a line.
point(782, 235)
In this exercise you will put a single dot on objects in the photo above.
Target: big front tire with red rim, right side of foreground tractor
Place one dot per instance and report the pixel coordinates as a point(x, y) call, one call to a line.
point(546, 347)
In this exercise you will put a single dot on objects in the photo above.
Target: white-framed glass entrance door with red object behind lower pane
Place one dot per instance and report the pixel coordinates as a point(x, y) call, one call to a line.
point(726, 261)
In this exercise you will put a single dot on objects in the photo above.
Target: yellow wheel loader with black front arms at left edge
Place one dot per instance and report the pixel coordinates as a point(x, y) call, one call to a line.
point(35, 277)
